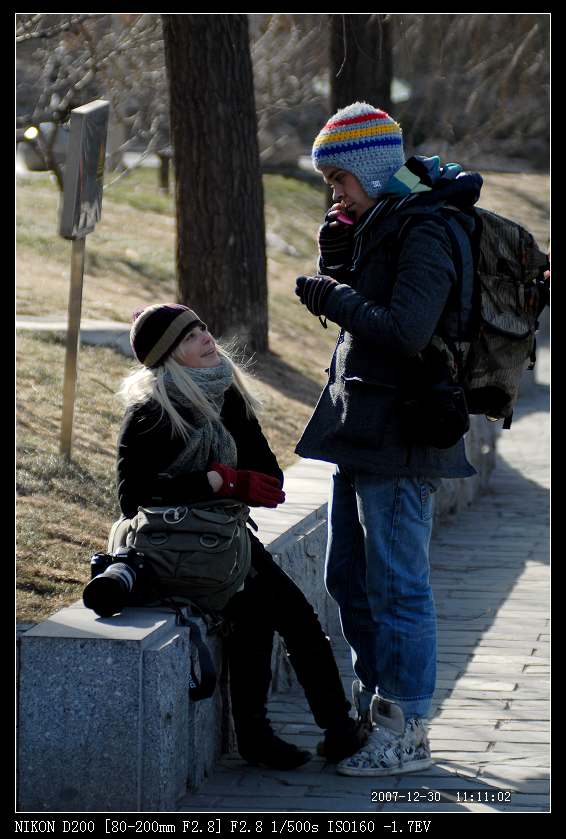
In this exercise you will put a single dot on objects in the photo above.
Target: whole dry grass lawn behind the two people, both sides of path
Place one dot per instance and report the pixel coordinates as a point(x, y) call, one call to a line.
point(65, 510)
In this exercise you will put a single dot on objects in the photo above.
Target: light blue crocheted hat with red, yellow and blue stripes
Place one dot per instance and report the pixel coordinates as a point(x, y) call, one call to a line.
point(364, 141)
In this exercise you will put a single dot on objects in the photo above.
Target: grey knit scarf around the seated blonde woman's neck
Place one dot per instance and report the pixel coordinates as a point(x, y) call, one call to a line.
point(209, 440)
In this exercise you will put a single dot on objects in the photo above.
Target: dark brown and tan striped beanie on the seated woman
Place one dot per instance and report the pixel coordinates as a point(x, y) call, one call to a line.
point(157, 330)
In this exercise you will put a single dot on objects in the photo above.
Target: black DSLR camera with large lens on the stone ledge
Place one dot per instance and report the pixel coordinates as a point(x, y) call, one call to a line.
point(115, 579)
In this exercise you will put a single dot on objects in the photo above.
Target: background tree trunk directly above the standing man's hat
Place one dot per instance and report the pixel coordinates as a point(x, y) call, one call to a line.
point(361, 60)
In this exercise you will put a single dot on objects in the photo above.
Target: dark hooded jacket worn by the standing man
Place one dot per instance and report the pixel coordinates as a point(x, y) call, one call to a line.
point(389, 306)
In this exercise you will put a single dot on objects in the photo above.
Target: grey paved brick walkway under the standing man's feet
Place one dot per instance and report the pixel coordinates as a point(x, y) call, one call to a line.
point(490, 729)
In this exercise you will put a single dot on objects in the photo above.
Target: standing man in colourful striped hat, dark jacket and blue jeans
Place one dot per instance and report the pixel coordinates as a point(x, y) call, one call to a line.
point(387, 274)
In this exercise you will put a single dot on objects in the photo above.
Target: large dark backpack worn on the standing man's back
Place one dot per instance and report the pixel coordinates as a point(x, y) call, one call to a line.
point(509, 293)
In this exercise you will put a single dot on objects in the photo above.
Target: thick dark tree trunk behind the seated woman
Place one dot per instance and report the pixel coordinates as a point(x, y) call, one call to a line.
point(221, 262)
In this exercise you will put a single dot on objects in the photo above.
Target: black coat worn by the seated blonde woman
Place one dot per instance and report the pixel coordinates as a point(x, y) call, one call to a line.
point(146, 449)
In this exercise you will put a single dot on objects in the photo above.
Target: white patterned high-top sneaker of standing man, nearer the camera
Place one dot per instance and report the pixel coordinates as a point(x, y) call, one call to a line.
point(394, 747)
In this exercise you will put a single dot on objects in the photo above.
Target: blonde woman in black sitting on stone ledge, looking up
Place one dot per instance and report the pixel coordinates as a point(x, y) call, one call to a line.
point(190, 433)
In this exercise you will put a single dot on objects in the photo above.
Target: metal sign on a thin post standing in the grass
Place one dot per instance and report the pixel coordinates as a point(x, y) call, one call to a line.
point(81, 209)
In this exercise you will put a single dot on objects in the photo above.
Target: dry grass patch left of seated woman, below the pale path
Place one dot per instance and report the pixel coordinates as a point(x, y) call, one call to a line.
point(64, 509)
